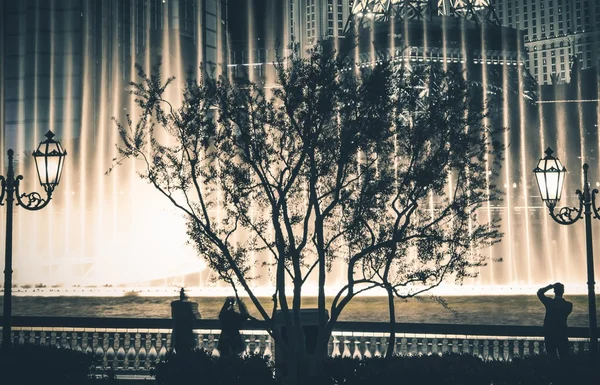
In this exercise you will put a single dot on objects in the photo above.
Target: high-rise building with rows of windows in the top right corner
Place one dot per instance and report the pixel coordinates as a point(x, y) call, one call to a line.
point(556, 31)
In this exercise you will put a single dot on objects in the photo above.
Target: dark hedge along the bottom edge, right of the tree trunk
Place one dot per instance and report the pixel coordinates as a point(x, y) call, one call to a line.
point(455, 369)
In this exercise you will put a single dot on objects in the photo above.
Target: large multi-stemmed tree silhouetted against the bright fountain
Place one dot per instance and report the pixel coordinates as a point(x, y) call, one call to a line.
point(364, 167)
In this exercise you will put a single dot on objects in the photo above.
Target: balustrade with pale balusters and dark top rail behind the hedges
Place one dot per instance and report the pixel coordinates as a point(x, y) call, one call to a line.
point(134, 345)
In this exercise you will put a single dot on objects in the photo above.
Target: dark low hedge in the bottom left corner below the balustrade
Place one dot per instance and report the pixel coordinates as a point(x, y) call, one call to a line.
point(39, 364)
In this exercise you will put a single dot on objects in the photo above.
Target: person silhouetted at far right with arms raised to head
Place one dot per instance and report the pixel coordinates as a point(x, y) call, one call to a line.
point(556, 337)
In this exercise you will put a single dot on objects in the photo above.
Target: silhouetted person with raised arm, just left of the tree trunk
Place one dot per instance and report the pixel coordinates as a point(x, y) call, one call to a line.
point(230, 341)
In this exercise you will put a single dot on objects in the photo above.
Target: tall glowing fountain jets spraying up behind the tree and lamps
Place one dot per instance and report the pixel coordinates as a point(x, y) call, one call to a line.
point(117, 230)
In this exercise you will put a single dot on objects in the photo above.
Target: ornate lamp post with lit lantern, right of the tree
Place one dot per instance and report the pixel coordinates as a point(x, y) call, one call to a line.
point(550, 176)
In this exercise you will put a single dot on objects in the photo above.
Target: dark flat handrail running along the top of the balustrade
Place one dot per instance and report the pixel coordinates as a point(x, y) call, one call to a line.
point(341, 326)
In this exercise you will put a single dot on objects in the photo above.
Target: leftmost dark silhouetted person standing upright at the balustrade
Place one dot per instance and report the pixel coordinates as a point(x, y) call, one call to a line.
point(184, 313)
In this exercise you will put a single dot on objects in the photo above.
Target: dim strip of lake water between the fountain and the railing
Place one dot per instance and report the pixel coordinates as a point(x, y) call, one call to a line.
point(482, 310)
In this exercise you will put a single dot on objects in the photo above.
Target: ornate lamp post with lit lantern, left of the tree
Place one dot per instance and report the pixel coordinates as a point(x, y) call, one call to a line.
point(49, 160)
